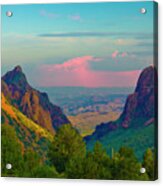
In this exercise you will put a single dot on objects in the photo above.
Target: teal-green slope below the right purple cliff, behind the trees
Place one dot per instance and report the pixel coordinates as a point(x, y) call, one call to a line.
point(138, 138)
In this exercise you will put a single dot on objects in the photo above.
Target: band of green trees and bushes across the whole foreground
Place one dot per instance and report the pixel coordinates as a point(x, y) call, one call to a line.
point(67, 158)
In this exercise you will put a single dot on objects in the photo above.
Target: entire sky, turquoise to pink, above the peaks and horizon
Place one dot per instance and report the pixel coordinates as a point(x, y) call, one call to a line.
point(82, 44)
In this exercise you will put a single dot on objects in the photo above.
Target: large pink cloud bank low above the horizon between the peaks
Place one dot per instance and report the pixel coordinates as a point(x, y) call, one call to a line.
point(77, 72)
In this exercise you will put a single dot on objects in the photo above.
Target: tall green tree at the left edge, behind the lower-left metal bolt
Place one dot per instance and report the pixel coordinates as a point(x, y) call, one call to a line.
point(12, 151)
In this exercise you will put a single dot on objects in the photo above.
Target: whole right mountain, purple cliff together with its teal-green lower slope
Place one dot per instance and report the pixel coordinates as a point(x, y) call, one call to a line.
point(136, 125)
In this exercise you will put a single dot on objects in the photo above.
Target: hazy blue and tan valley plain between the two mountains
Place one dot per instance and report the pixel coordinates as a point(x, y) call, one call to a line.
point(88, 107)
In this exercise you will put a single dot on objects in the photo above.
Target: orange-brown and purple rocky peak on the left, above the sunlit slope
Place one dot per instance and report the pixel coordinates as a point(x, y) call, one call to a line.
point(34, 104)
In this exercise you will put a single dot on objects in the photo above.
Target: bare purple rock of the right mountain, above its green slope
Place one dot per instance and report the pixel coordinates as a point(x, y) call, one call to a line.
point(140, 108)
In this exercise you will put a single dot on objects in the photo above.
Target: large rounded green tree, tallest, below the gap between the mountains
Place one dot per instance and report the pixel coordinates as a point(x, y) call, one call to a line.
point(67, 146)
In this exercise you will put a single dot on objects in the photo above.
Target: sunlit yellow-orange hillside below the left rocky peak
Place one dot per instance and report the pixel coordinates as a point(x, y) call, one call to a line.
point(30, 134)
